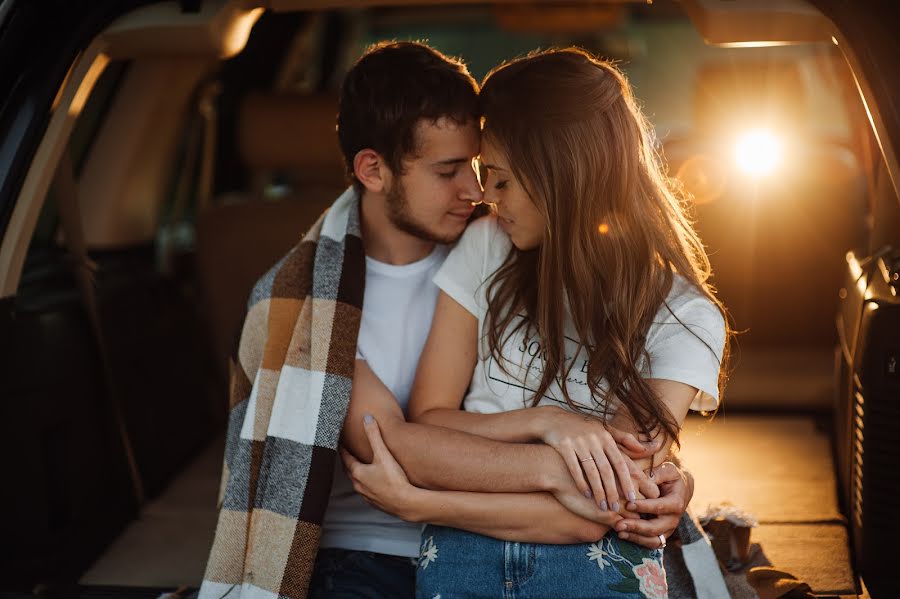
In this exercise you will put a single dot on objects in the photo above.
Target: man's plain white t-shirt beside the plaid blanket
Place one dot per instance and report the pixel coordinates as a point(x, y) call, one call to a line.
point(398, 308)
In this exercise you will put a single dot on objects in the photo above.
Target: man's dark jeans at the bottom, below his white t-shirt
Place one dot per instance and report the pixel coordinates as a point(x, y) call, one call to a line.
point(347, 574)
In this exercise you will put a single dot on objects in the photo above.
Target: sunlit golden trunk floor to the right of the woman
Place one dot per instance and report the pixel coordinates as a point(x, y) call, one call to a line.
point(779, 469)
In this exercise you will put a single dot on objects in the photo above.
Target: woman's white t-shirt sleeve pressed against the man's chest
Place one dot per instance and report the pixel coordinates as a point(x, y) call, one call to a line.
point(463, 272)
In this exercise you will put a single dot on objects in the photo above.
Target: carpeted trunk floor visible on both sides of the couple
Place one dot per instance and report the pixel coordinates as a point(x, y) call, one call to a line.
point(778, 468)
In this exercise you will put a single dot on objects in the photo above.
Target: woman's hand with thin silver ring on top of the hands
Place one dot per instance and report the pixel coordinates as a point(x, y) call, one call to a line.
point(598, 456)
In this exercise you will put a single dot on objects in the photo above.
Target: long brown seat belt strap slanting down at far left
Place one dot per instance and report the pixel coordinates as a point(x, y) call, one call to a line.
point(84, 268)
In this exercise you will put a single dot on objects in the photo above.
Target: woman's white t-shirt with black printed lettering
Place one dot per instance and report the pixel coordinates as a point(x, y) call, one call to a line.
point(675, 353)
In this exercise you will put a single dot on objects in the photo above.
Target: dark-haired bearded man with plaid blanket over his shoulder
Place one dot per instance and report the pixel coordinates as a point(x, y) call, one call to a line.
point(409, 130)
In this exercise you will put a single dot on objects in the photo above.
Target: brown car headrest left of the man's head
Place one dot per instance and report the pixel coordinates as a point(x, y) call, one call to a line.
point(291, 132)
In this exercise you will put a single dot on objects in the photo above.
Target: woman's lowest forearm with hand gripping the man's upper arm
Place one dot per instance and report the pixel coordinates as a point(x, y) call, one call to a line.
point(521, 517)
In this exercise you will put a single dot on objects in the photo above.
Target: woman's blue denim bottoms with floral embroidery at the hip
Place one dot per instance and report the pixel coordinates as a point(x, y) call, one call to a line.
point(455, 564)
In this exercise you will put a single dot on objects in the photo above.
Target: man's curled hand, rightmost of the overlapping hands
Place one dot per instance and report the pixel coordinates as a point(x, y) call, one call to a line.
point(676, 488)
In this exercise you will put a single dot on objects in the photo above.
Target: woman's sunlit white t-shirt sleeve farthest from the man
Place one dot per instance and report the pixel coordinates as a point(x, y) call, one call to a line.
point(689, 351)
